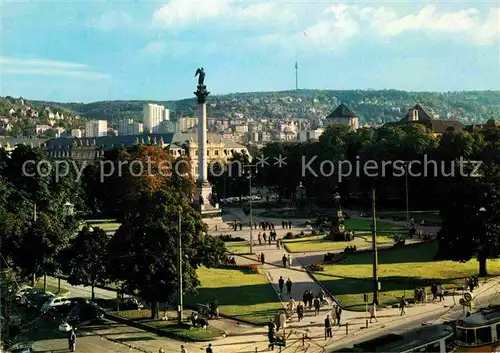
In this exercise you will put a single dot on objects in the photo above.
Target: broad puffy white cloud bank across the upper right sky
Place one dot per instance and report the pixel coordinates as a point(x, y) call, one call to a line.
point(320, 26)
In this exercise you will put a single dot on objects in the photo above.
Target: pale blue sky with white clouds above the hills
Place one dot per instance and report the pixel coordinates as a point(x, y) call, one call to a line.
point(83, 51)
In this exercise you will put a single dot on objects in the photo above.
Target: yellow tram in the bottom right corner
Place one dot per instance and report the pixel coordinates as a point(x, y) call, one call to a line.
point(479, 331)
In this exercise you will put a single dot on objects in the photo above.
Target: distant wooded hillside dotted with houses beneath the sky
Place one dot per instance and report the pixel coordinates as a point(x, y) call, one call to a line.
point(372, 106)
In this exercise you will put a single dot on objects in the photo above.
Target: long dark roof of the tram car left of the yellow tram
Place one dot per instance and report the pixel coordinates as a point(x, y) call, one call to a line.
point(404, 341)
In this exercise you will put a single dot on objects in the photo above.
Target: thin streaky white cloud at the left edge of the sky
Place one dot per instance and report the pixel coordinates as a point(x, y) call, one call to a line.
point(45, 67)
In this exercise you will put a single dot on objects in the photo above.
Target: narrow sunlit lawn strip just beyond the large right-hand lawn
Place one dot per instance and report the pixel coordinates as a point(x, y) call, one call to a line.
point(310, 244)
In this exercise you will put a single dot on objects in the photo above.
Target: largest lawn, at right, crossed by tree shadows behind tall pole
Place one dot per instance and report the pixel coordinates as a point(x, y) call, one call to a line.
point(400, 271)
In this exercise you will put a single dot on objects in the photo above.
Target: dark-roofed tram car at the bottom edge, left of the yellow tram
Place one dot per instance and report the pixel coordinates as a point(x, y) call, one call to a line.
point(433, 338)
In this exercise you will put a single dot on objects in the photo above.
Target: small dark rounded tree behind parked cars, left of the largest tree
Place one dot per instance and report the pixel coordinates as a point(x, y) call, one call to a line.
point(87, 258)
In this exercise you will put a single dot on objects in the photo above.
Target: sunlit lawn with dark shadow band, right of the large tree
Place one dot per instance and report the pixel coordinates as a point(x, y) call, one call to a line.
point(240, 294)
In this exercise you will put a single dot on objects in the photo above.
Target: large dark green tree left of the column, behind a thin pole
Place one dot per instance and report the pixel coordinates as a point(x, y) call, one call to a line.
point(142, 253)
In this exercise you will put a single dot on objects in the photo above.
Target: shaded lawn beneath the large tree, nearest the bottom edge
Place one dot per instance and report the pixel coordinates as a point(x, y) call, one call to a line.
point(182, 333)
